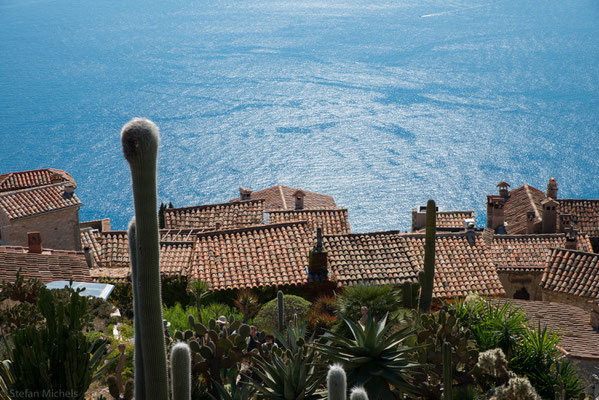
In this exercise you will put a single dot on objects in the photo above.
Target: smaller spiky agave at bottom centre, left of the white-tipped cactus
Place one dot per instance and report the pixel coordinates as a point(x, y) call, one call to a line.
point(288, 375)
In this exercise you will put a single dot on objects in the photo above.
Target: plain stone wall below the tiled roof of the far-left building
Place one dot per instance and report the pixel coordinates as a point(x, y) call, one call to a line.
point(58, 229)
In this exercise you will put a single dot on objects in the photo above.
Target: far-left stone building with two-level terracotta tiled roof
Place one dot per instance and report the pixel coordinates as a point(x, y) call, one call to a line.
point(41, 201)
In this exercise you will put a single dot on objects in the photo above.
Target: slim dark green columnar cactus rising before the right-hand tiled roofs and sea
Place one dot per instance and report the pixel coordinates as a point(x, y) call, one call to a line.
point(427, 276)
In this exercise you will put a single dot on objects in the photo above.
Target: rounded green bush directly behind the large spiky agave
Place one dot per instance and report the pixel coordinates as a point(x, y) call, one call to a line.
point(380, 300)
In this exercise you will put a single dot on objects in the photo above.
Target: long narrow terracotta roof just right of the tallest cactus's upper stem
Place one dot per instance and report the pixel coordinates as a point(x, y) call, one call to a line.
point(229, 215)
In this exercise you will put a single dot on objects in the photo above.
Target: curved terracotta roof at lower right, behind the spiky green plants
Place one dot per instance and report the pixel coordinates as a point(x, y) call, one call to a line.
point(580, 340)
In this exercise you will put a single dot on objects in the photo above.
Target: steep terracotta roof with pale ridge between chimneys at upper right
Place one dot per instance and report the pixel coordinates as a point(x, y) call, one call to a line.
point(522, 200)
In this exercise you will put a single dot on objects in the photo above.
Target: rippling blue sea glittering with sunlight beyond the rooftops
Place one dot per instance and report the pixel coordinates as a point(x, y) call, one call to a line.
point(380, 103)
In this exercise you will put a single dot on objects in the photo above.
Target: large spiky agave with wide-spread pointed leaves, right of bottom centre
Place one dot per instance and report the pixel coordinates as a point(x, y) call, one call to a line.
point(374, 357)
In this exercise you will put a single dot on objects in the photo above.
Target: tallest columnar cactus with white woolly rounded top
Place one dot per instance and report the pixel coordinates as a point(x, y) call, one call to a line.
point(140, 139)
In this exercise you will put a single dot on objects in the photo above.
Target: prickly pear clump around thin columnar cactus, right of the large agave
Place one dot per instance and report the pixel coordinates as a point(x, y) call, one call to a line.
point(435, 330)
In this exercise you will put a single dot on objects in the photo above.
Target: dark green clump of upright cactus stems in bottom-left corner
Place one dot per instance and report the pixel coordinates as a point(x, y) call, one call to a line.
point(57, 356)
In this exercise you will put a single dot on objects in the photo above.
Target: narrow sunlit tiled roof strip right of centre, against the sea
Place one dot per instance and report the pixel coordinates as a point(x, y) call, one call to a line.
point(332, 221)
